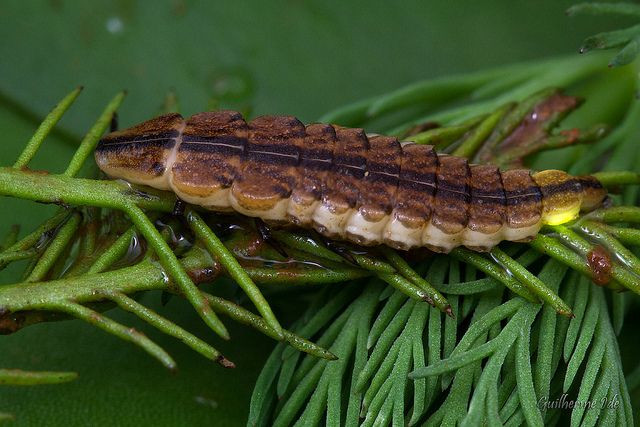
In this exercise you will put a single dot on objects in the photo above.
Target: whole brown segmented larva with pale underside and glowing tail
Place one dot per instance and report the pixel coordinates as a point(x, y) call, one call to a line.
point(342, 182)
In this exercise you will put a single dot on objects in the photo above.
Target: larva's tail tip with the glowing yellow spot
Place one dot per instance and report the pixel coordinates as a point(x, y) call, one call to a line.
point(564, 196)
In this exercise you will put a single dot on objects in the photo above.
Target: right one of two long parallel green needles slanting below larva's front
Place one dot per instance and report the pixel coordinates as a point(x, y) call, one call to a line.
point(222, 254)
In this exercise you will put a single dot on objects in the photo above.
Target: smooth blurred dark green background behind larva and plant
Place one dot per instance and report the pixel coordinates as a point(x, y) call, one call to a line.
point(278, 57)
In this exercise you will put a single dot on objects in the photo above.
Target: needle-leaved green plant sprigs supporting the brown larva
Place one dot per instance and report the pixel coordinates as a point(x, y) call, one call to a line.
point(369, 336)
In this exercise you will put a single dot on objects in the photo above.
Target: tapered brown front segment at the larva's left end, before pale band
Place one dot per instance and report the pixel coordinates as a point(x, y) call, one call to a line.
point(141, 153)
